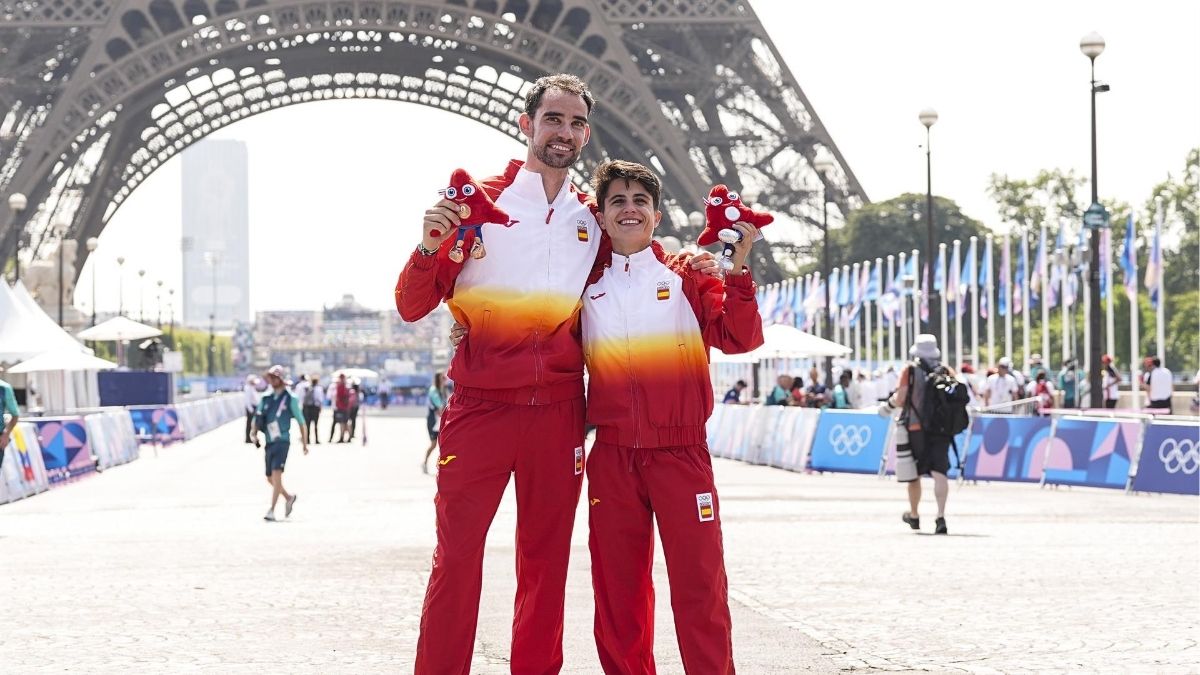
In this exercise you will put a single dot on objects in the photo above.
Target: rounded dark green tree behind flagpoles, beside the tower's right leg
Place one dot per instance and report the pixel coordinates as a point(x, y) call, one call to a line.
point(885, 229)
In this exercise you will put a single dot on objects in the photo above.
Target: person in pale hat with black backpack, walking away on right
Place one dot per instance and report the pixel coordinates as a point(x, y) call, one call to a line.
point(921, 449)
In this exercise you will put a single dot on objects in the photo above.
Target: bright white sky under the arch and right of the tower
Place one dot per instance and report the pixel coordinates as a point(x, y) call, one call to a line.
point(339, 188)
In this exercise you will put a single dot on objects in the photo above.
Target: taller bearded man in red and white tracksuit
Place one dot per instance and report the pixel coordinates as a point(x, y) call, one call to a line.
point(518, 407)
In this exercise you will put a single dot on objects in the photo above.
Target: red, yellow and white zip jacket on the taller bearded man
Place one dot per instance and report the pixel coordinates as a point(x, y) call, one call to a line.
point(521, 303)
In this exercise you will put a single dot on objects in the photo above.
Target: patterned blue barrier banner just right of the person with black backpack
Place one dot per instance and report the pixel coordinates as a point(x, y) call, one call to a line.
point(1006, 447)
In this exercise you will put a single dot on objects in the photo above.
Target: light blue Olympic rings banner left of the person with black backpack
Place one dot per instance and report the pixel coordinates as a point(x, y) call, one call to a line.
point(850, 441)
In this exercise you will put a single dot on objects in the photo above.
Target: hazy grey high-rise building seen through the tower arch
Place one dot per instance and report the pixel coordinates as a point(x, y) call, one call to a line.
point(217, 234)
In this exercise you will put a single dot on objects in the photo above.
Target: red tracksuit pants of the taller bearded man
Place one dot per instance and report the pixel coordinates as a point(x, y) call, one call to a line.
point(482, 445)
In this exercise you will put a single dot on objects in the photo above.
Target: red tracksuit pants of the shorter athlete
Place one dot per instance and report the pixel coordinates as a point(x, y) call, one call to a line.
point(628, 491)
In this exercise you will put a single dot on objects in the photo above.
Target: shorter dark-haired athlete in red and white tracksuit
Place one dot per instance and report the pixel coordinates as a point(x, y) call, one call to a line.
point(649, 322)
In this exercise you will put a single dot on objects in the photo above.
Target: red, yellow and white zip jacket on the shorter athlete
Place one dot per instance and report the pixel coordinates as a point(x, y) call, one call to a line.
point(649, 322)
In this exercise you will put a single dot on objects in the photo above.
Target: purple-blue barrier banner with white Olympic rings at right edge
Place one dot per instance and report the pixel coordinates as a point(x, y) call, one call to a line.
point(1171, 459)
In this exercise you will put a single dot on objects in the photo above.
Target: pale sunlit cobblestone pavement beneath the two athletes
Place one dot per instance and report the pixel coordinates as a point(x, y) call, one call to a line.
point(165, 565)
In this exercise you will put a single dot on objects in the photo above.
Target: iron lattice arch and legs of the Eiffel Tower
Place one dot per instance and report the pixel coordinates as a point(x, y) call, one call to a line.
point(95, 95)
